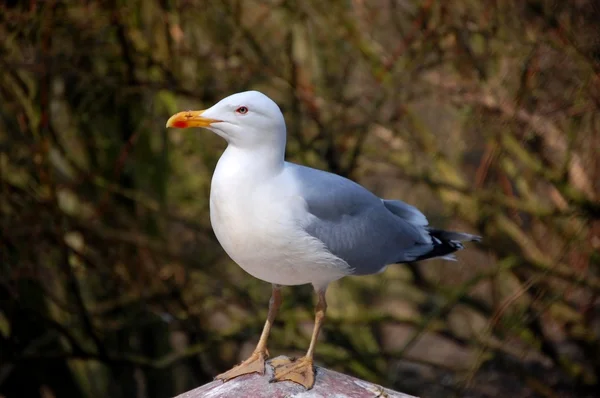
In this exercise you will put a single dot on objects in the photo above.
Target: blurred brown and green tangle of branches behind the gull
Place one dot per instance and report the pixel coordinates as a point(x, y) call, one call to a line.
point(484, 114)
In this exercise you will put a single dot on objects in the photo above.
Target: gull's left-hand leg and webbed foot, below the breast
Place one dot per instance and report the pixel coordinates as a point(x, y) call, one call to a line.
point(256, 362)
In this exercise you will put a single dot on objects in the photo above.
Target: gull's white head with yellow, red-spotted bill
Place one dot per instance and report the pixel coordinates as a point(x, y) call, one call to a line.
point(247, 120)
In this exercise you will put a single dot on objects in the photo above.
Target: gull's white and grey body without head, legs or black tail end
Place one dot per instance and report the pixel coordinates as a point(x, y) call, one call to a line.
point(293, 225)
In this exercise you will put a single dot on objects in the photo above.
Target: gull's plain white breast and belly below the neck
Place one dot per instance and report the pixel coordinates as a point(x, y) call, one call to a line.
point(261, 230)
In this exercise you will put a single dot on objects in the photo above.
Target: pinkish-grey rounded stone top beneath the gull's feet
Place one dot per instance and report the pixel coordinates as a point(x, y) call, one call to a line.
point(328, 384)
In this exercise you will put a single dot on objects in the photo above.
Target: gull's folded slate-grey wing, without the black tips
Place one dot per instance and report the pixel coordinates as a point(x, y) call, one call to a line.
point(359, 227)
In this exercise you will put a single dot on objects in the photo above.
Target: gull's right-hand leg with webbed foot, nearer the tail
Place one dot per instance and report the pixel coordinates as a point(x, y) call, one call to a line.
point(301, 370)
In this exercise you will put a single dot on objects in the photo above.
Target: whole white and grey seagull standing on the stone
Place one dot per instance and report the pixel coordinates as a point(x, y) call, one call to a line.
point(288, 224)
